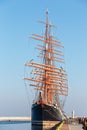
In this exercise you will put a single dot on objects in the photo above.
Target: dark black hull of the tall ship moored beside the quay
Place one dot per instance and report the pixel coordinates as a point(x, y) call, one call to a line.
point(43, 112)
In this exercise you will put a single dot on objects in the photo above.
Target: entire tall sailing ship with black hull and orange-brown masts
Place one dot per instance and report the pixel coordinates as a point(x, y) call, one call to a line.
point(49, 78)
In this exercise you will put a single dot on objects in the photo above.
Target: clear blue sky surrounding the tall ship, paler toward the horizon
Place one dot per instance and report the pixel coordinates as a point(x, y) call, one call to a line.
point(18, 20)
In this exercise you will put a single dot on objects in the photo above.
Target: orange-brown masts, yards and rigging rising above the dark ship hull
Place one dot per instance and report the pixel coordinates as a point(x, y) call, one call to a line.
point(49, 80)
